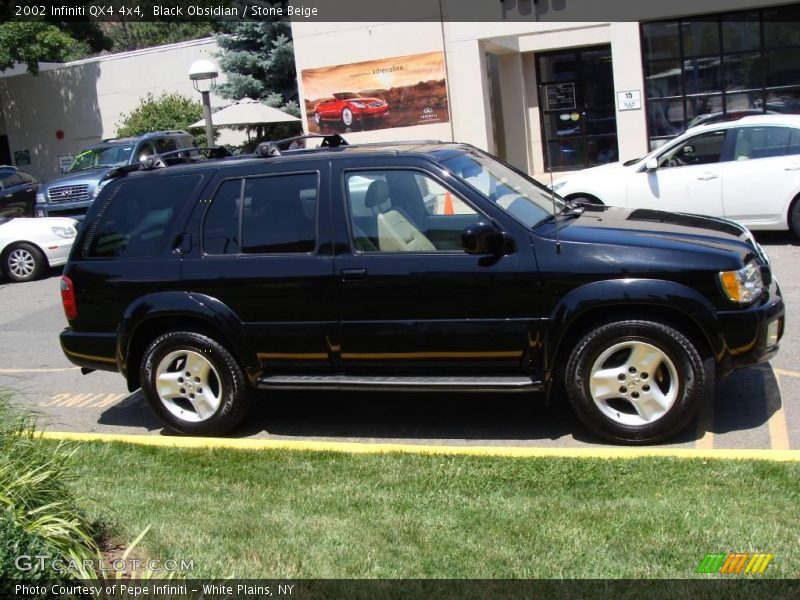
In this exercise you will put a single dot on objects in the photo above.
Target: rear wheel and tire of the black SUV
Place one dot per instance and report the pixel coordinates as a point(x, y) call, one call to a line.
point(225, 380)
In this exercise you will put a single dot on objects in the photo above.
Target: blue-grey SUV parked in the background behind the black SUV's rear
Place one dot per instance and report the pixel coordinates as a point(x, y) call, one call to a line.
point(72, 194)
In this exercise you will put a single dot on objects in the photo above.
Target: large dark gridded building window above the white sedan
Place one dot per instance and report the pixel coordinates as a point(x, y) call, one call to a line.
point(710, 68)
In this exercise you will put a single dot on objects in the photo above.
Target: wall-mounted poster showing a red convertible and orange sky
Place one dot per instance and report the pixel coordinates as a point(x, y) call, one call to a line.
point(377, 94)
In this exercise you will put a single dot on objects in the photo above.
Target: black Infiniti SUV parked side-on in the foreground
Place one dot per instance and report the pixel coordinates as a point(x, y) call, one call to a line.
point(424, 266)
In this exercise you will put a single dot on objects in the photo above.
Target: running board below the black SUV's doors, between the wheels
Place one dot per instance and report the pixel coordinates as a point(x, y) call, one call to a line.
point(490, 383)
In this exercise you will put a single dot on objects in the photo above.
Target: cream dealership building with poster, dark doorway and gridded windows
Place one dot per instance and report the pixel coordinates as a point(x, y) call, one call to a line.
point(551, 90)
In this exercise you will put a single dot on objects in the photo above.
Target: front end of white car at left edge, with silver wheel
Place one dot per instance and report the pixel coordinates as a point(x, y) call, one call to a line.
point(28, 246)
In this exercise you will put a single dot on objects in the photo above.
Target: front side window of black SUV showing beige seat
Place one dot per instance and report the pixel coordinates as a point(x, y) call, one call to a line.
point(405, 211)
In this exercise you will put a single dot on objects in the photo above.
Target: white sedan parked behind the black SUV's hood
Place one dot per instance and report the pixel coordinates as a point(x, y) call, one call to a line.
point(746, 170)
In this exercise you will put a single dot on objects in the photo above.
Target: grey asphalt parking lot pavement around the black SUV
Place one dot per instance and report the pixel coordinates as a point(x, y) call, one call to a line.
point(753, 408)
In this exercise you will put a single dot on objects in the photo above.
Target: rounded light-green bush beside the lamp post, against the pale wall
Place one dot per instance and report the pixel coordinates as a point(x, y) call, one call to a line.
point(171, 111)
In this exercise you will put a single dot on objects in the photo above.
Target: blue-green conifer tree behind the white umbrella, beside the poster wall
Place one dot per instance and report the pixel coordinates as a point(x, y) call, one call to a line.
point(258, 60)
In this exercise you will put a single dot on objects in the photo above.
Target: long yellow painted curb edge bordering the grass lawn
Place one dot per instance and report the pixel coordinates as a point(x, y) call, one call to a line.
point(368, 448)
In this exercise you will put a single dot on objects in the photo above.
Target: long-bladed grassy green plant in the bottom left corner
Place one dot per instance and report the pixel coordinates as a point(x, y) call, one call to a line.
point(38, 513)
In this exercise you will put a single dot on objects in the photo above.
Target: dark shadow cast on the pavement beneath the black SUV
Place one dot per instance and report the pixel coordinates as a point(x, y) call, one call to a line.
point(744, 400)
